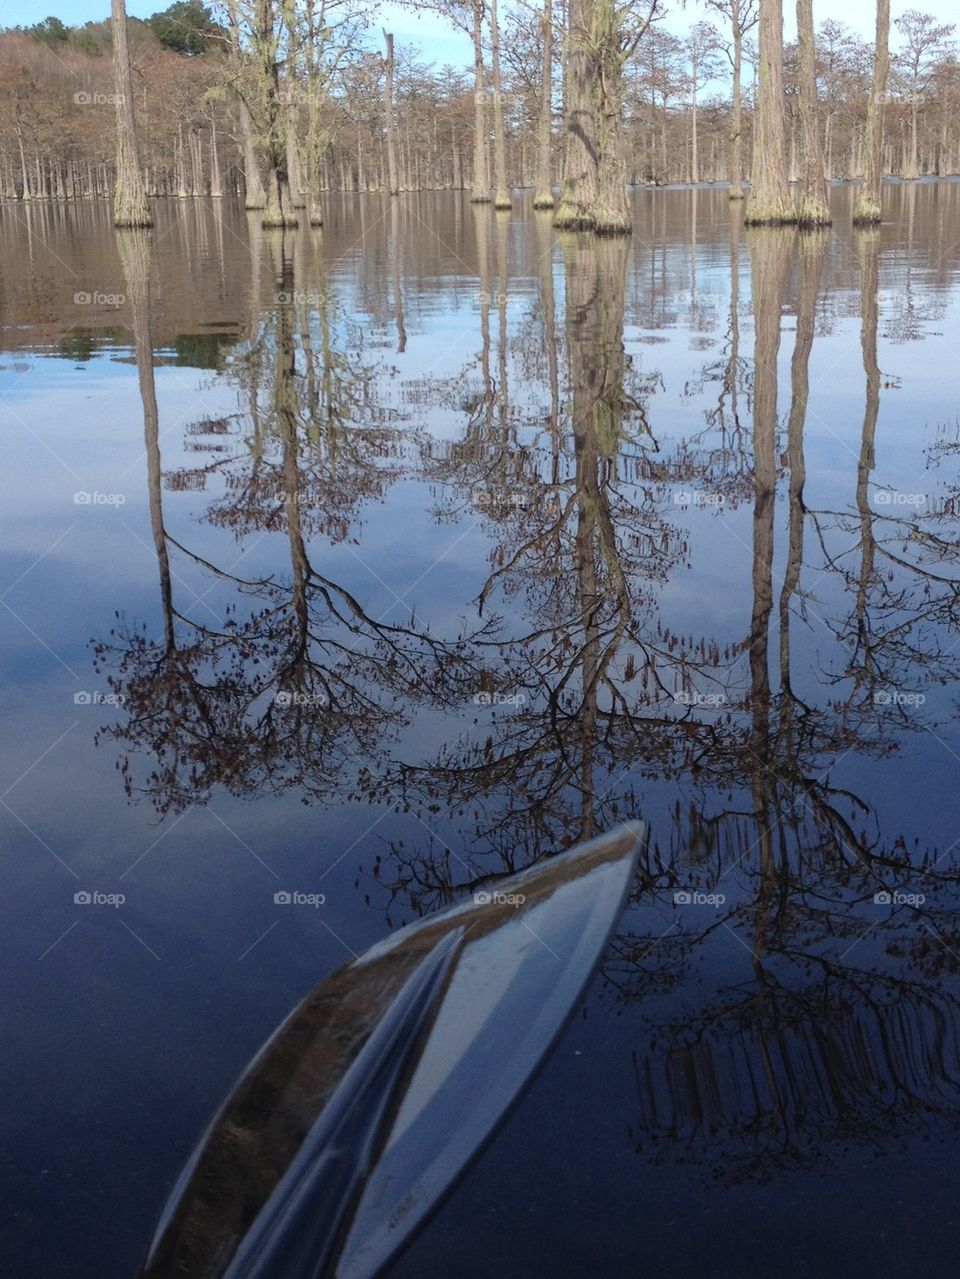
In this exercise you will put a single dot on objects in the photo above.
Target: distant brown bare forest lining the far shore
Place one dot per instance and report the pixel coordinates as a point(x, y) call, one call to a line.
point(199, 131)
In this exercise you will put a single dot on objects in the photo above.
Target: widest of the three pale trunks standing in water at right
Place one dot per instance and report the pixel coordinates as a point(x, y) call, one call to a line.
point(770, 201)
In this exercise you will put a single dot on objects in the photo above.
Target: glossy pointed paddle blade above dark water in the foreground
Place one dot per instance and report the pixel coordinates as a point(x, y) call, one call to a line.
point(378, 1092)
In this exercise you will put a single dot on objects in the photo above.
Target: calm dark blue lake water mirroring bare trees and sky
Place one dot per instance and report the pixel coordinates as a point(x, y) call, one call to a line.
point(382, 561)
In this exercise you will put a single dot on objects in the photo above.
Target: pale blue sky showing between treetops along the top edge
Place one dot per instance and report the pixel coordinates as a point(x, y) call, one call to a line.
point(440, 43)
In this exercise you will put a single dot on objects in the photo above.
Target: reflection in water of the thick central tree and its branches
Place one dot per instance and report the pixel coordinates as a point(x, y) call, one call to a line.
point(582, 542)
